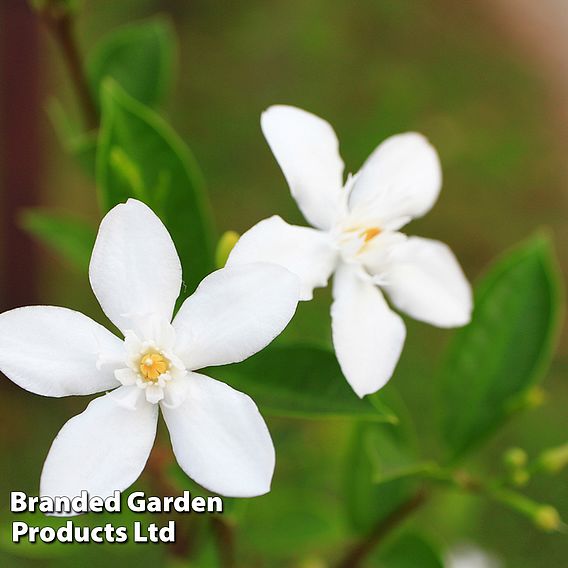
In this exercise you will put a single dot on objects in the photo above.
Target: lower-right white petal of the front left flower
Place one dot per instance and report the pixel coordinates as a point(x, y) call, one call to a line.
point(220, 439)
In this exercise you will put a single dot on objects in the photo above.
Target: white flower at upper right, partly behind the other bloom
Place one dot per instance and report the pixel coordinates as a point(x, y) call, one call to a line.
point(356, 236)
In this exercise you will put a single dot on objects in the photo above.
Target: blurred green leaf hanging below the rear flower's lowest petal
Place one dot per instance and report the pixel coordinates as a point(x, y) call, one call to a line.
point(376, 451)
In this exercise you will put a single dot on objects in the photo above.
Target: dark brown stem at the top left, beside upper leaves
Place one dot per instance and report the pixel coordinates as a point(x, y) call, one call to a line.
point(62, 27)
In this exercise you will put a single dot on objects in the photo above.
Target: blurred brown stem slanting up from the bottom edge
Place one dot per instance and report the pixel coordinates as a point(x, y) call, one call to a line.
point(360, 550)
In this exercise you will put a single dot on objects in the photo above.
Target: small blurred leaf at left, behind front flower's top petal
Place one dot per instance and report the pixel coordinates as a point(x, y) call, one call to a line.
point(71, 238)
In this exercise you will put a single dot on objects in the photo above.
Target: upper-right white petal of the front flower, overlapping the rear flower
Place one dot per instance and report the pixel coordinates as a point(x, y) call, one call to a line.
point(234, 313)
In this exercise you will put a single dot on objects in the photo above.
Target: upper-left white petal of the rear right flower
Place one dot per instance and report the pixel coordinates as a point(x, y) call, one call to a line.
point(306, 148)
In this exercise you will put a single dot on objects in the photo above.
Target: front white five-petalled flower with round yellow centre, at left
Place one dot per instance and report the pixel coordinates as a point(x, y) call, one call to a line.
point(217, 433)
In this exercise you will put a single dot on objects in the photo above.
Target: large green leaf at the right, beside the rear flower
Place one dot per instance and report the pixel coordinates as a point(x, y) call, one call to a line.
point(507, 347)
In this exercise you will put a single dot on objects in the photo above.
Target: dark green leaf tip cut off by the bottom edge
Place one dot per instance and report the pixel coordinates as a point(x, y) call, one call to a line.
point(410, 551)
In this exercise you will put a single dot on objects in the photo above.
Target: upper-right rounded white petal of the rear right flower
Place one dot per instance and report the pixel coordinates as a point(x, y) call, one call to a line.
point(400, 180)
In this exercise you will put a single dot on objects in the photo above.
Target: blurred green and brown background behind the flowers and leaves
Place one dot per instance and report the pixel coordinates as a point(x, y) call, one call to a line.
point(449, 70)
